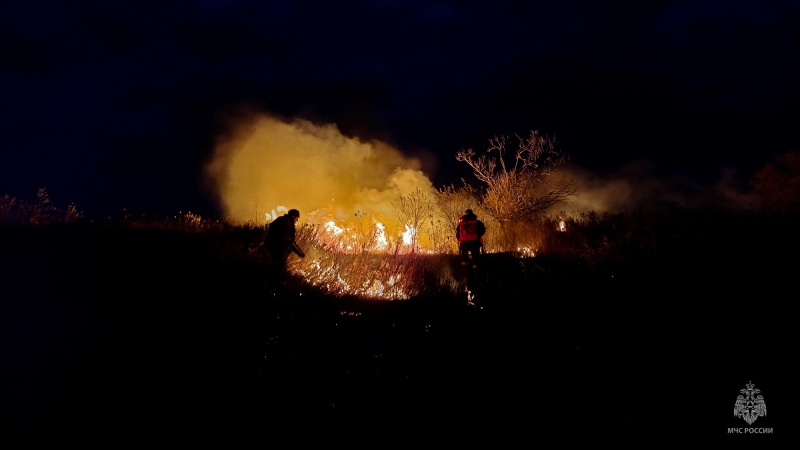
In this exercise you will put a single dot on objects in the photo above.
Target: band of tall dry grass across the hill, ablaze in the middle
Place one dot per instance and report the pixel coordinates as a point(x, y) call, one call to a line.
point(365, 260)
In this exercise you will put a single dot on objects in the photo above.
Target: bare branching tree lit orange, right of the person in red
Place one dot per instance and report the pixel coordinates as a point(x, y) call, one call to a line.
point(517, 187)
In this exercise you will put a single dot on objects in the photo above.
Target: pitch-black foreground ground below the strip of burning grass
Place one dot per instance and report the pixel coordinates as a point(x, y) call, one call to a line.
point(150, 336)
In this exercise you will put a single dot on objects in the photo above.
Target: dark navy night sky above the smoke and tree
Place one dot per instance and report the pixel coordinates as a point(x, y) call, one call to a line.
point(112, 105)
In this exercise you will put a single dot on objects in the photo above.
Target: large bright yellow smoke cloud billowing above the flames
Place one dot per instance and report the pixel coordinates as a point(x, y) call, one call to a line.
point(265, 166)
